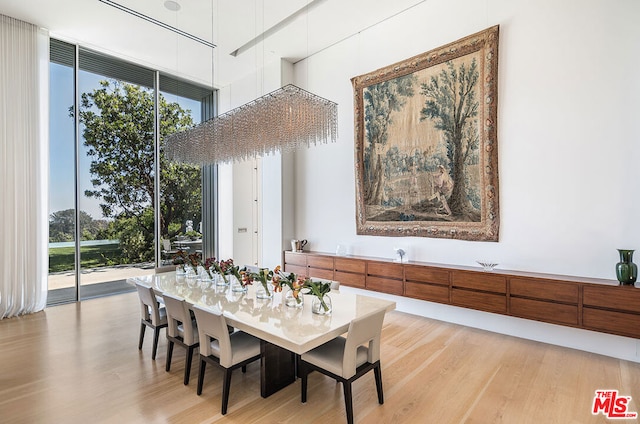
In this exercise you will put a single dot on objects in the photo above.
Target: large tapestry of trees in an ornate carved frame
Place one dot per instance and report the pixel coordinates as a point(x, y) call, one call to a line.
point(426, 143)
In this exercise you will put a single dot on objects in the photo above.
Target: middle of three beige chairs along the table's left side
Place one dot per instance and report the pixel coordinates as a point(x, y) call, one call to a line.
point(182, 330)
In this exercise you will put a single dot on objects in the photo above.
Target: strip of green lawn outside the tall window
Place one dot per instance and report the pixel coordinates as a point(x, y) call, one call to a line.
point(62, 258)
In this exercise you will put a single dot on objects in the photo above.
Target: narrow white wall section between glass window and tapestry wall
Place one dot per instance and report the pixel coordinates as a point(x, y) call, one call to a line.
point(258, 201)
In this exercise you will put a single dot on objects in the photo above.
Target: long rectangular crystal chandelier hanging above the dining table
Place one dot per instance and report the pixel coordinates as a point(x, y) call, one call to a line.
point(280, 121)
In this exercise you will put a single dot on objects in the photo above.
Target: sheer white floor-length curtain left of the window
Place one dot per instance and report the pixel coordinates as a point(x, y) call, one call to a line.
point(24, 167)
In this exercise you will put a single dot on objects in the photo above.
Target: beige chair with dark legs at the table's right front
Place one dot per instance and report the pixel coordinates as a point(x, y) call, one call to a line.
point(347, 359)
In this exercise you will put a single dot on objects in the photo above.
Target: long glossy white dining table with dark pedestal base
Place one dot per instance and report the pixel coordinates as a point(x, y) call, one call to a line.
point(285, 331)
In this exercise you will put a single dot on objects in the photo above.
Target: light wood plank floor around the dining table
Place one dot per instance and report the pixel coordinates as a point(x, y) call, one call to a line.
point(79, 363)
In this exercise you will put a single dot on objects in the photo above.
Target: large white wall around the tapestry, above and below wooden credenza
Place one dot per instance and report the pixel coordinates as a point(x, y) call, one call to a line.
point(569, 96)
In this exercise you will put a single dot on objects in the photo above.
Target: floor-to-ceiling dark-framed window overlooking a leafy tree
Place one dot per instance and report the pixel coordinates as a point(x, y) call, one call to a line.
point(103, 172)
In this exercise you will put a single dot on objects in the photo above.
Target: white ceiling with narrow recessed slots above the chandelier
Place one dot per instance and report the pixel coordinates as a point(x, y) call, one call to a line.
point(290, 29)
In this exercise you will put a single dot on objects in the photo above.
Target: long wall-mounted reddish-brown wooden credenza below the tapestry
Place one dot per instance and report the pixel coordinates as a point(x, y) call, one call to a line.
point(592, 304)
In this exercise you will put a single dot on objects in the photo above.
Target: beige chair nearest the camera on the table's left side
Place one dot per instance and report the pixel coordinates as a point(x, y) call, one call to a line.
point(217, 346)
